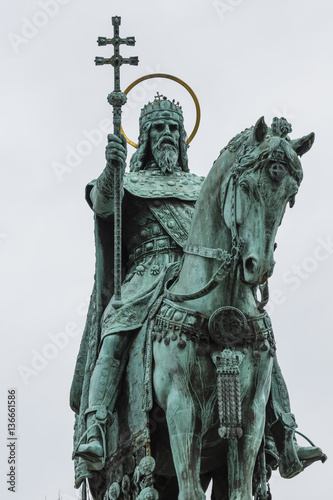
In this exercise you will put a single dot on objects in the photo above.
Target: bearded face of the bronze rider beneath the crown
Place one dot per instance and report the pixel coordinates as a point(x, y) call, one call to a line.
point(164, 141)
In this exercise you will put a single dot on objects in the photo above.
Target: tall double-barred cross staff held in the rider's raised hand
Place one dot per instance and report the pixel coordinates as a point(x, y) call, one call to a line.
point(117, 99)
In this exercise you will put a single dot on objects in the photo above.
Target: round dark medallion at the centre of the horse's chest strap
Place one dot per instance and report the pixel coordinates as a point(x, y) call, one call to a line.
point(227, 326)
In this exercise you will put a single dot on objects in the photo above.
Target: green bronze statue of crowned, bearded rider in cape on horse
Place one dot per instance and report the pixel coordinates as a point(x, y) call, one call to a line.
point(191, 342)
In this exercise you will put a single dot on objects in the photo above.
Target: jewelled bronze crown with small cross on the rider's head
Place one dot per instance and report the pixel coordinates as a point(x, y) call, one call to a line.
point(161, 107)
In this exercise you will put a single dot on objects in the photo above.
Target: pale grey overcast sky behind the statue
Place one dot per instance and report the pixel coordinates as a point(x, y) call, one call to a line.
point(244, 59)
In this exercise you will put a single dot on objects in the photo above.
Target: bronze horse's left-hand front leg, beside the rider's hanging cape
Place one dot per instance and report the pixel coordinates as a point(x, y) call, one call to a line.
point(185, 441)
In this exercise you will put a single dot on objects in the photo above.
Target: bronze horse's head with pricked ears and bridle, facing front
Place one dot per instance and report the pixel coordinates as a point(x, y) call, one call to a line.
point(263, 178)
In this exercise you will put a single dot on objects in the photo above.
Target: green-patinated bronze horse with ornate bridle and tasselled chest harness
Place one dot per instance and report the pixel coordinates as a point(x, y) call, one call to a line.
point(213, 379)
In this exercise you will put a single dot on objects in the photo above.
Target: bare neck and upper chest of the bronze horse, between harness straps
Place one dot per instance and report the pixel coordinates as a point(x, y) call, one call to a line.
point(208, 229)
